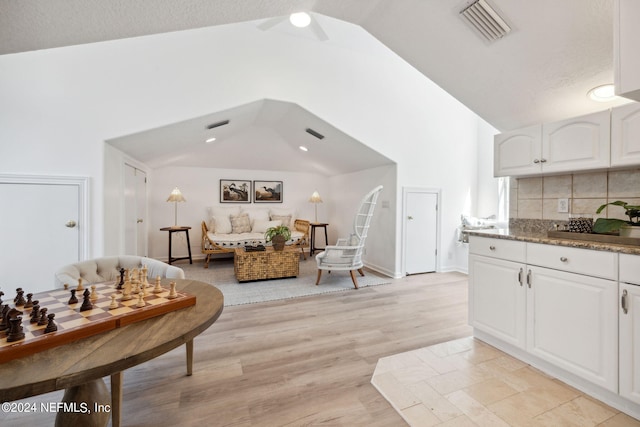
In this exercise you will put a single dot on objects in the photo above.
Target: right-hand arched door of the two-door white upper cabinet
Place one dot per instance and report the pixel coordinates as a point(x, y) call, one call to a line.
point(576, 144)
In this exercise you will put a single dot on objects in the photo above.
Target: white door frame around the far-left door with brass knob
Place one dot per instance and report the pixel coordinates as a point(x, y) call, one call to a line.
point(83, 199)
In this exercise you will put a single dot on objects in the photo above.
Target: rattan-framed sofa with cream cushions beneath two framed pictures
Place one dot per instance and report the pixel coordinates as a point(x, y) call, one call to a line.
point(228, 228)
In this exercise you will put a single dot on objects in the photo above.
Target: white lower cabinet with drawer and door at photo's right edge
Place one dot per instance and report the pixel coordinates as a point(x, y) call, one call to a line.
point(629, 317)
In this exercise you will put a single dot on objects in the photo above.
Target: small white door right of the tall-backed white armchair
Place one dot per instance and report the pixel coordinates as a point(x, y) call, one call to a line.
point(421, 225)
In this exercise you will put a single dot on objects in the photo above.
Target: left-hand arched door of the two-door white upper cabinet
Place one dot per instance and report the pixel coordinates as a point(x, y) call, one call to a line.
point(518, 152)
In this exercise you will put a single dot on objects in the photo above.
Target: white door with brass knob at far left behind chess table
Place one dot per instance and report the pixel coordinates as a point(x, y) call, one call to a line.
point(43, 229)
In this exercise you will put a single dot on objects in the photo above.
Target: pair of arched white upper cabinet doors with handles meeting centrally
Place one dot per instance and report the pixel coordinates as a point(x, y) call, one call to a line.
point(580, 143)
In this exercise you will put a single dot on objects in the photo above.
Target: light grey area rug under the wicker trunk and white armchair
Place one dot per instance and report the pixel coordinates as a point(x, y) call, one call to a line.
point(220, 274)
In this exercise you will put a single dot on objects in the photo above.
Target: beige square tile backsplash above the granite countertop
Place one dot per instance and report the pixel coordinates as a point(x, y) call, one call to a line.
point(537, 198)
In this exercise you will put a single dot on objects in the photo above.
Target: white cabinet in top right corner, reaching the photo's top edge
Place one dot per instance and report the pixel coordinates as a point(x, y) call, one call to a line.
point(626, 39)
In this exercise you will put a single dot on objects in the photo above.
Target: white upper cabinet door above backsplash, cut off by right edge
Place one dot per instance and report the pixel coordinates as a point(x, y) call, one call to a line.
point(625, 135)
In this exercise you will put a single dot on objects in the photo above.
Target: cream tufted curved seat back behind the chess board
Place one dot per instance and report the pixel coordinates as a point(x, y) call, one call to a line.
point(108, 268)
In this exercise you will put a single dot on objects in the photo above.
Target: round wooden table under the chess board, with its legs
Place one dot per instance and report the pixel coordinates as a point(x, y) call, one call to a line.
point(79, 366)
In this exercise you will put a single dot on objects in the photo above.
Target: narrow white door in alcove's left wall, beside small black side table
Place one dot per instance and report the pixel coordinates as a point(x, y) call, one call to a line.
point(135, 199)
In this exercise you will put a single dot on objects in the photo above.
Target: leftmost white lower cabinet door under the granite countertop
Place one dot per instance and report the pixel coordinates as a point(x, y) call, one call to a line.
point(497, 298)
